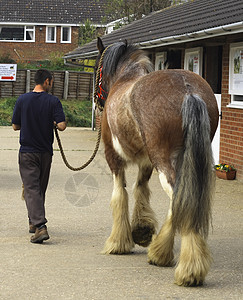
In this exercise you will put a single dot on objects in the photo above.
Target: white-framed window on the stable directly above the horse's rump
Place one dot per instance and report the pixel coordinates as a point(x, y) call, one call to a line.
point(194, 56)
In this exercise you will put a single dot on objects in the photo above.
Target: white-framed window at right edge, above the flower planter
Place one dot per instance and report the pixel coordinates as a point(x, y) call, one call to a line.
point(236, 79)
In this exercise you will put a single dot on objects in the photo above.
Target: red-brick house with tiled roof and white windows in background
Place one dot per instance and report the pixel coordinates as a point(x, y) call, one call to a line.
point(31, 30)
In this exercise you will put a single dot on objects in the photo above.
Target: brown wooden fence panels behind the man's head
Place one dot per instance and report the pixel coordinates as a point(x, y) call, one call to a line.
point(79, 85)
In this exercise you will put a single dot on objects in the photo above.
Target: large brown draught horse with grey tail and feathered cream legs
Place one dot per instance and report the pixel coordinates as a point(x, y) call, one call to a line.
point(163, 120)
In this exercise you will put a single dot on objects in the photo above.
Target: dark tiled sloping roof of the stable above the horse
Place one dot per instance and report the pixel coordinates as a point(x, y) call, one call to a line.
point(184, 19)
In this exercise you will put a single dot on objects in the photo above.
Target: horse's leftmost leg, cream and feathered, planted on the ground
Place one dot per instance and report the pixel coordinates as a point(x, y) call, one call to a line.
point(120, 240)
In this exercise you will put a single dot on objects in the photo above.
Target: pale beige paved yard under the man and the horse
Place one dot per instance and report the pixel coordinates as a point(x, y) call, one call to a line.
point(70, 266)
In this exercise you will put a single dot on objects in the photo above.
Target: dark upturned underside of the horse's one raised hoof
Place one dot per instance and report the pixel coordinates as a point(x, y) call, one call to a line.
point(142, 235)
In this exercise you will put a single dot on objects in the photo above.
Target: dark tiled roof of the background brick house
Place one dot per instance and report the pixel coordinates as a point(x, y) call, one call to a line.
point(51, 11)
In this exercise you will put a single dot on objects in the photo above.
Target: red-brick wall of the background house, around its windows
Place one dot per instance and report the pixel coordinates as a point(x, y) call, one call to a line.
point(39, 50)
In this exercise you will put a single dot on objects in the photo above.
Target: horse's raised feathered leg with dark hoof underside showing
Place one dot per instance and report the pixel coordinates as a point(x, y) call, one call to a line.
point(143, 220)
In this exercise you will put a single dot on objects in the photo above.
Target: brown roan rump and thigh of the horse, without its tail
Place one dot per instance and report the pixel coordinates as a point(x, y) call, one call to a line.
point(156, 102)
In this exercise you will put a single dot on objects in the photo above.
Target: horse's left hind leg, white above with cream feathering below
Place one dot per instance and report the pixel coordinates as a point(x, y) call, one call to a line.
point(161, 249)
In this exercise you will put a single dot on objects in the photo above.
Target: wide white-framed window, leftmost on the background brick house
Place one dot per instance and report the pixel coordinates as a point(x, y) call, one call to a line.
point(17, 33)
